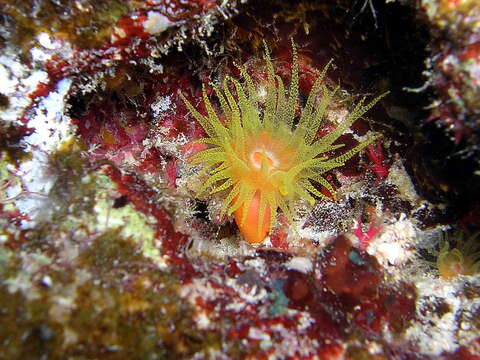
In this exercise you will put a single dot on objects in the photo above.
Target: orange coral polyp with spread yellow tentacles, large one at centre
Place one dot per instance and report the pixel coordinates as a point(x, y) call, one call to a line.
point(262, 155)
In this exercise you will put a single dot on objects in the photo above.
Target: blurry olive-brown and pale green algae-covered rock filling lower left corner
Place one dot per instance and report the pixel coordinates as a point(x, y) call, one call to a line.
point(89, 281)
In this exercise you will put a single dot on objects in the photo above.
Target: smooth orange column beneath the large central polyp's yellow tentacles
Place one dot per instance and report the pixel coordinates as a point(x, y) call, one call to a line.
point(249, 229)
